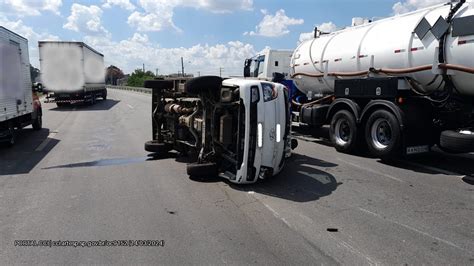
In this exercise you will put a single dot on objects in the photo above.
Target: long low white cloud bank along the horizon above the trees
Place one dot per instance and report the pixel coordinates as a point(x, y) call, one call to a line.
point(131, 53)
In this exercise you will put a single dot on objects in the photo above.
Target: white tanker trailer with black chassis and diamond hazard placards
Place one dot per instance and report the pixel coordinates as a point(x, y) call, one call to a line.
point(394, 86)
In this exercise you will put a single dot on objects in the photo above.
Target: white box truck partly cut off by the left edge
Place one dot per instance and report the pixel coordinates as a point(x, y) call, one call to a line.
point(19, 104)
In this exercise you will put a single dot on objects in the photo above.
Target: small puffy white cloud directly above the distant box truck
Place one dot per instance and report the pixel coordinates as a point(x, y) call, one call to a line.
point(85, 19)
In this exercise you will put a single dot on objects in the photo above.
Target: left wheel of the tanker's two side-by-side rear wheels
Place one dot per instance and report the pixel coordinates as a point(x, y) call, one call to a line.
point(343, 131)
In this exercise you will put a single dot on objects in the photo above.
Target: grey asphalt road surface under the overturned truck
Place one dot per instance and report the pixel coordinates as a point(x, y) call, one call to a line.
point(86, 177)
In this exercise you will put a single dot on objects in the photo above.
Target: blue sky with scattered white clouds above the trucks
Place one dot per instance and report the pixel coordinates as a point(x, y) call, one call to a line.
point(209, 34)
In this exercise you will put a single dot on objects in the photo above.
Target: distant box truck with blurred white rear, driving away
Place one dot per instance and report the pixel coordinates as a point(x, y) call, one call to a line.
point(71, 72)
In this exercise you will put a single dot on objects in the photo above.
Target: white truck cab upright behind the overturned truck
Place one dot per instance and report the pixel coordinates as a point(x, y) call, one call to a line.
point(264, 64)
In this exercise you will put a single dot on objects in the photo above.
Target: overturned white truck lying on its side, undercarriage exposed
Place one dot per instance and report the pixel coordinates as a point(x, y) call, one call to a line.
point(235, 128)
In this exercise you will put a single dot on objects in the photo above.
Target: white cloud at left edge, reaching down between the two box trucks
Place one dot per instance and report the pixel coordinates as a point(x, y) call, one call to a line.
point(33, 37)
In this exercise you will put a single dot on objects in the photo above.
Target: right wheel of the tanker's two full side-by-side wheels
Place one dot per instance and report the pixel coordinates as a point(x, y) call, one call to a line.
point(383, 134)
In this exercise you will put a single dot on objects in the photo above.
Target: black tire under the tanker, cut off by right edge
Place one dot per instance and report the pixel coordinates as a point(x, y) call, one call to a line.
point(454, 141)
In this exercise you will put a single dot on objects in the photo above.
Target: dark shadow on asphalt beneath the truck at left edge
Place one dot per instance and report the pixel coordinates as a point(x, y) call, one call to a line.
point(30, 148)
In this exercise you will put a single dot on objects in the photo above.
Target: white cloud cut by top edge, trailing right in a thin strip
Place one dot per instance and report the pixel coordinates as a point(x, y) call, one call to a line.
point(158, 14)
